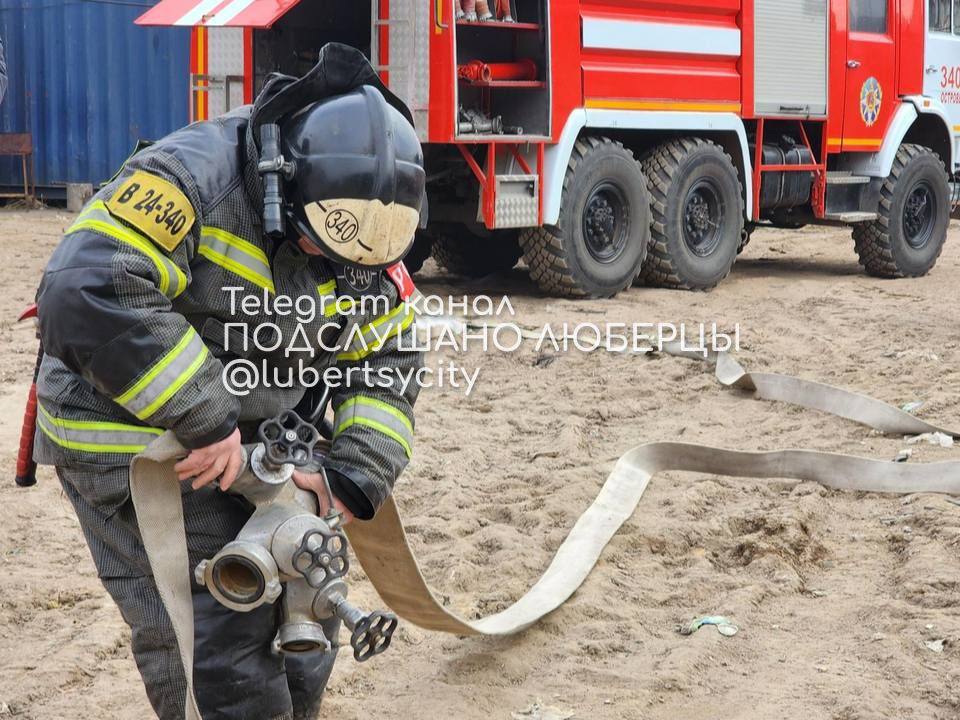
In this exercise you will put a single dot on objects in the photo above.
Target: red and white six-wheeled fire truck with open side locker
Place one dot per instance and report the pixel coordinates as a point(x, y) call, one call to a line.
point(609, 142)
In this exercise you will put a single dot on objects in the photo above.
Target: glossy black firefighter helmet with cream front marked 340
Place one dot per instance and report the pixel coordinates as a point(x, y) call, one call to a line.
point(358, 179)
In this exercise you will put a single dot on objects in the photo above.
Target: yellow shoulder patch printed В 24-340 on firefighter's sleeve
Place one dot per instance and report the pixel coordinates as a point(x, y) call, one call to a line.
point(154, 206)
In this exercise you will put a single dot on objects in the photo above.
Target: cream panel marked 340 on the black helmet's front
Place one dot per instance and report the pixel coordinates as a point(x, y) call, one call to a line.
point(366, 233)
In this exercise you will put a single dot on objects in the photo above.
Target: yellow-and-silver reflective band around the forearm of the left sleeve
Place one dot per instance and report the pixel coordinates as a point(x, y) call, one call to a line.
point(165, 377)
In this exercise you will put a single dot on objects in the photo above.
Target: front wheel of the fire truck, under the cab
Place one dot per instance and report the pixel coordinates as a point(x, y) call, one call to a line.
point(908, 237)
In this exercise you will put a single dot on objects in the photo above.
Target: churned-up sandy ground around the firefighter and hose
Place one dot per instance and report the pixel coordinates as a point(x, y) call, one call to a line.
point(836, 595)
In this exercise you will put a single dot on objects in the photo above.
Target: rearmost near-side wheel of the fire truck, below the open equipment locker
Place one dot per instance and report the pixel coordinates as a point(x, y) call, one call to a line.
point(600, 242)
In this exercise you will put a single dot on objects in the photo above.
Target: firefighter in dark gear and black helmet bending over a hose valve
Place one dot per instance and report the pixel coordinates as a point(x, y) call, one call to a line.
point(133, 314)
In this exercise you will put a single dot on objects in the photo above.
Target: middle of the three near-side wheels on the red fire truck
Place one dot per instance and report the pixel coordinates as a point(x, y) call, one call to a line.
point(697, 214)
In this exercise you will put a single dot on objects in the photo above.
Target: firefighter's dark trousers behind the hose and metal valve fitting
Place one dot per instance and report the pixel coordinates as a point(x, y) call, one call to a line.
point(236, 674)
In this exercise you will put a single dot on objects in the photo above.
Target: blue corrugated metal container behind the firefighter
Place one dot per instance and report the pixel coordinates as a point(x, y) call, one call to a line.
point(88, 84)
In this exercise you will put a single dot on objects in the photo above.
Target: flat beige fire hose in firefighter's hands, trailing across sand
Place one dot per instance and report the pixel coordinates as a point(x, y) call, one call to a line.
point(382, 548)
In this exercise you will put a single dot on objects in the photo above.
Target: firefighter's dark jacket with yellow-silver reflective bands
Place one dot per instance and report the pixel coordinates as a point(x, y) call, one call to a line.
point(133, 314)
